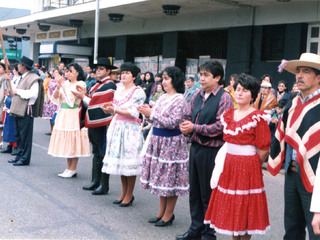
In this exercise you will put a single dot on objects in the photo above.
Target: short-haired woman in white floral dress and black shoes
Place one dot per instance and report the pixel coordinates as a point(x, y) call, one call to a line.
point(124, 136)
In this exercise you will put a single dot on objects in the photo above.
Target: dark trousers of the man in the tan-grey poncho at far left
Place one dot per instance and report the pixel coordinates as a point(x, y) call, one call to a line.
point(23, 135)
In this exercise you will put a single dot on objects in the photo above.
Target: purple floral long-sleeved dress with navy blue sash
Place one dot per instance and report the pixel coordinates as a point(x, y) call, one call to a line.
point(165, 165)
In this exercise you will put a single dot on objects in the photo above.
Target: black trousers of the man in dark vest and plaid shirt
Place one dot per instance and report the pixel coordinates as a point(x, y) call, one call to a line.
point(202, 161)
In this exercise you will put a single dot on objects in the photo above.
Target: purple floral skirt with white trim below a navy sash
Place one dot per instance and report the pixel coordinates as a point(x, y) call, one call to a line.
point(165, 167)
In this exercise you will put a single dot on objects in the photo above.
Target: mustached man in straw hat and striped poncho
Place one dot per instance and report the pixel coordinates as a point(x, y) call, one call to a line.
point(297, 144)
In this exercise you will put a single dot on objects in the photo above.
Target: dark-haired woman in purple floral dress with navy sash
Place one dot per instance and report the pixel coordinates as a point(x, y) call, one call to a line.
point(165, 166)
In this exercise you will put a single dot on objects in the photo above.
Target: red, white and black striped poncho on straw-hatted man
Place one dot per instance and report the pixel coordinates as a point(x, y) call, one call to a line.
point(300, 128)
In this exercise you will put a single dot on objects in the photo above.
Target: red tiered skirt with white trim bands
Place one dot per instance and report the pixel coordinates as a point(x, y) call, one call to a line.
point(238, 205)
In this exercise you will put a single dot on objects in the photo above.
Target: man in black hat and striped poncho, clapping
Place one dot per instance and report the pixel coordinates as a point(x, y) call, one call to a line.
point(97, 121)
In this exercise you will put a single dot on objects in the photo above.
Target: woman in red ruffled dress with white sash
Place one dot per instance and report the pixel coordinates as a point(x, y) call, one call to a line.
point(238, 204)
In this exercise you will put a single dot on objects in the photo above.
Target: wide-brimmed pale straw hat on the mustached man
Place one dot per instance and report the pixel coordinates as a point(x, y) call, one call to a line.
point(306, 60)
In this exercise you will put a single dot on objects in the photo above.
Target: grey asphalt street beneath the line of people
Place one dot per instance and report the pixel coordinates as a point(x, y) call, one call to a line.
point(36, 204)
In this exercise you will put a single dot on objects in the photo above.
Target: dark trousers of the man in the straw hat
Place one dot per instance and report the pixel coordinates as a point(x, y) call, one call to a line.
point(297, 215)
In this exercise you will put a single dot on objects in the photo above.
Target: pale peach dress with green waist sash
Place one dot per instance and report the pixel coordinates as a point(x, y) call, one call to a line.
point(67, 139)
